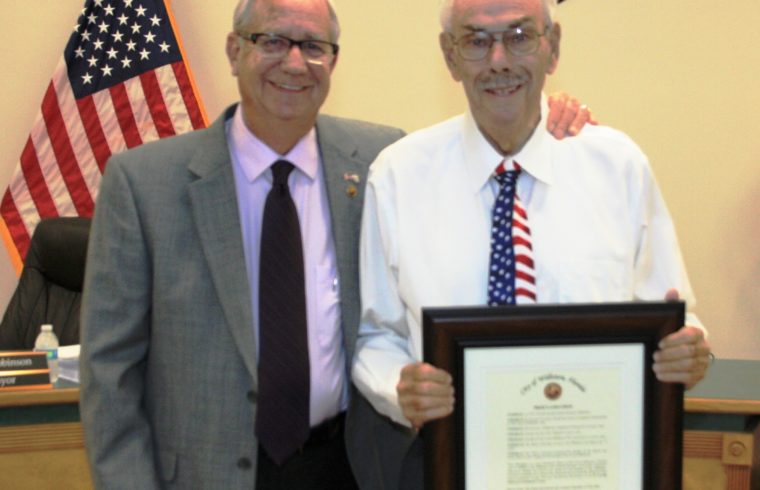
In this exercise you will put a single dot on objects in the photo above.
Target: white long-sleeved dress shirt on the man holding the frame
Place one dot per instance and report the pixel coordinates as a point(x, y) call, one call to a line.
point(600, 229)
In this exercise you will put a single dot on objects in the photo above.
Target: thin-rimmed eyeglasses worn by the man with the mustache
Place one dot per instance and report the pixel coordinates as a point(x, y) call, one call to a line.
point(520, 41)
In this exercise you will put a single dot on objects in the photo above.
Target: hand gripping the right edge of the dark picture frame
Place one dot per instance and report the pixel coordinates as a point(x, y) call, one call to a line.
point(683, 357)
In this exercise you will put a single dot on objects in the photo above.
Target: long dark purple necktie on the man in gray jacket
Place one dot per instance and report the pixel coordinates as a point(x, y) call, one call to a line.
point(282, 418)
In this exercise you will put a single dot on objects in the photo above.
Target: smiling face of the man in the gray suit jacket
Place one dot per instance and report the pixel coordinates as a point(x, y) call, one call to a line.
point(287, 90)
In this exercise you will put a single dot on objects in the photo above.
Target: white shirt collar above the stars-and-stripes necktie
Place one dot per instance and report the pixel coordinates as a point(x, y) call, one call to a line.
point(482, 158)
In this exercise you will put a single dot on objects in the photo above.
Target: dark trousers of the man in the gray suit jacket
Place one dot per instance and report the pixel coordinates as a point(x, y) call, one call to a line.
point(322, 463)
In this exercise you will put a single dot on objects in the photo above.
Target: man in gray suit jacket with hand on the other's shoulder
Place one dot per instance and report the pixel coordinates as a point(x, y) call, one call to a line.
point(170, 322)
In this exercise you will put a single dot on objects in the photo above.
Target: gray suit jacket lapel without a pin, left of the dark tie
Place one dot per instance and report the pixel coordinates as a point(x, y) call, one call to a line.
point(215, 211)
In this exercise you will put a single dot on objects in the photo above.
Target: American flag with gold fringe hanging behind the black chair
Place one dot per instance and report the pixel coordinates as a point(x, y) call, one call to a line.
point(121, 82)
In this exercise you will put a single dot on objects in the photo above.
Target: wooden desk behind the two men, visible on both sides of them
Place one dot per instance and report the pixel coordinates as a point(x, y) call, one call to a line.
point(42, 444)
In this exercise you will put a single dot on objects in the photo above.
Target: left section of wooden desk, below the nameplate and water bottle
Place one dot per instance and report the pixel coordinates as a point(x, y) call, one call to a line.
point(41, 440)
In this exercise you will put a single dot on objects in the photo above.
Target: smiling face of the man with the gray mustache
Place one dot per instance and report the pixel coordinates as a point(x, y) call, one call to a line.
point(503, 90)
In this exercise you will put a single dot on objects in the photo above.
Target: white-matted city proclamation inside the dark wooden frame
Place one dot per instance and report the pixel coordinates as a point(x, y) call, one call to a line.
point(565, 417)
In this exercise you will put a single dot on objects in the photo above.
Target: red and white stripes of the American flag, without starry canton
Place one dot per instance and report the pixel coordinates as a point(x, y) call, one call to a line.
point(61, 165)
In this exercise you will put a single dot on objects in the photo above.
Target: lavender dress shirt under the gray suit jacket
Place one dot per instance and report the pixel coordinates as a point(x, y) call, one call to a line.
point(253, 180)
